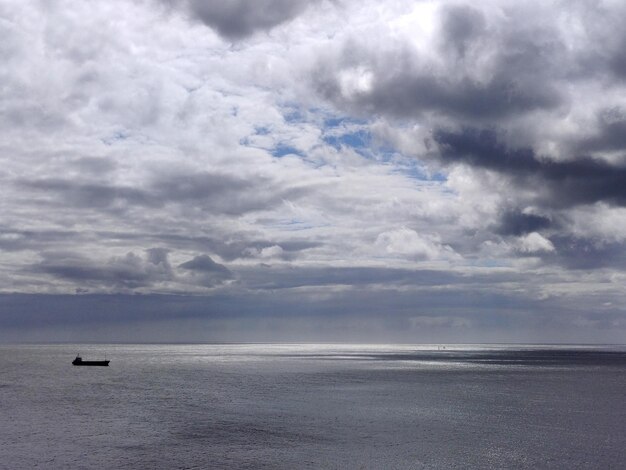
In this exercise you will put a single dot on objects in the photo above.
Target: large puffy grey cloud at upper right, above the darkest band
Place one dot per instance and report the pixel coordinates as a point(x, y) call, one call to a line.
point(524, 62)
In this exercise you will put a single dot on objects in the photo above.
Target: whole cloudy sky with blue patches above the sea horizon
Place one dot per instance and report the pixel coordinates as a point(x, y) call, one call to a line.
point(313, 170)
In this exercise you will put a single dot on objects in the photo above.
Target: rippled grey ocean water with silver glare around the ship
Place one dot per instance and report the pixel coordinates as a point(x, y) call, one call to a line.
point(313, 406)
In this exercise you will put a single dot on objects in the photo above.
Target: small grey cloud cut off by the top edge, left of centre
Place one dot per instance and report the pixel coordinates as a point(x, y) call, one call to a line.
point(237, 19)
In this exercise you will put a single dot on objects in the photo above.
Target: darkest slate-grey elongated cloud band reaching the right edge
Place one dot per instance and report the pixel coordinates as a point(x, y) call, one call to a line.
point(583, 180)
